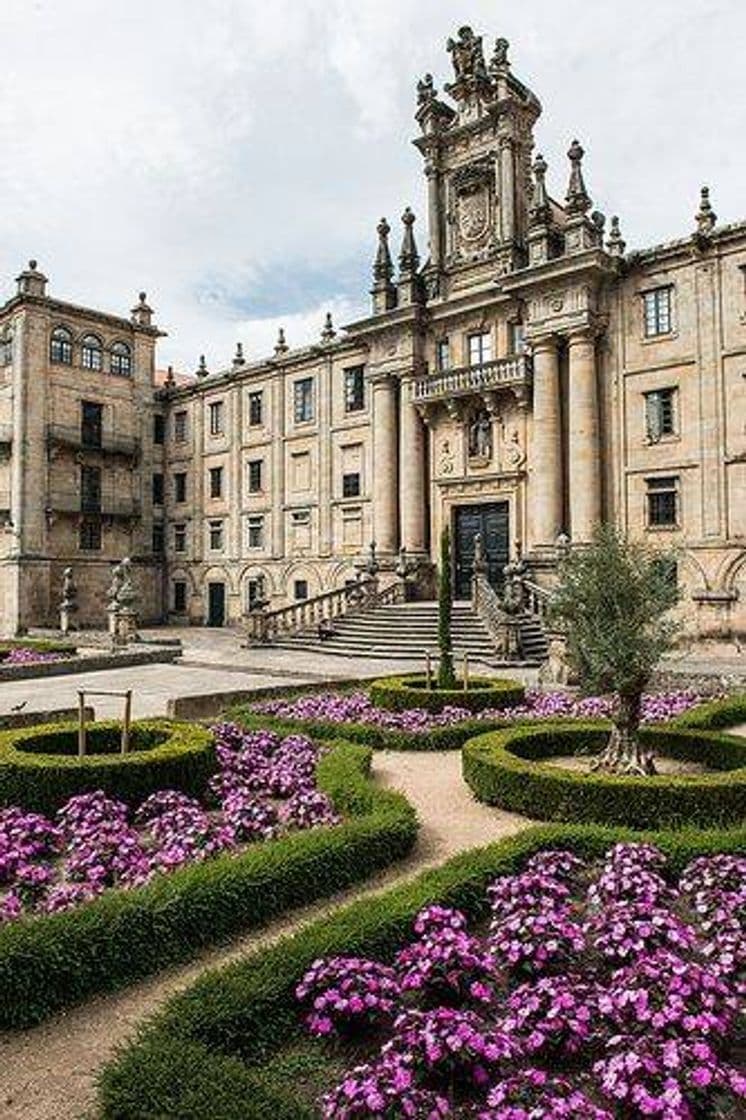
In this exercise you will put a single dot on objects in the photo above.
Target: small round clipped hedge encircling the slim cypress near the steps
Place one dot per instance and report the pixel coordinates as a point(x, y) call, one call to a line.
point(400, 694)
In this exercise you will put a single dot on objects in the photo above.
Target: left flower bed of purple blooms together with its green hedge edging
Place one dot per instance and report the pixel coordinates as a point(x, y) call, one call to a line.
point(219, 883)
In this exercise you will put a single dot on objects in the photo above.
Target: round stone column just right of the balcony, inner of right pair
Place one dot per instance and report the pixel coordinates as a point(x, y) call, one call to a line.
point(546, 484)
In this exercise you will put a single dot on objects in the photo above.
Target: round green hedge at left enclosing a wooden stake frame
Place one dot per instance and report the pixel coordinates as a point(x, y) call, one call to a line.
point(165, 754)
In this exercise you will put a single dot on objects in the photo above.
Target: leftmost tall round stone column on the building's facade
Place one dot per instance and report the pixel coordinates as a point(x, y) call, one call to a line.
point(386, 474)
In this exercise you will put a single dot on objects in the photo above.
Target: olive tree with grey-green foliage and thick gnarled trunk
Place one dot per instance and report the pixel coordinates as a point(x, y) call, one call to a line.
point(614, 604)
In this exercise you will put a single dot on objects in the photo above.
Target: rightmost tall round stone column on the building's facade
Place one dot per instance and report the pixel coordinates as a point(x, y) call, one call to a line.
point(584, 482)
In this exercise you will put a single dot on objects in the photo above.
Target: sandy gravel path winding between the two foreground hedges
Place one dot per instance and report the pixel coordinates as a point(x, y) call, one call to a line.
point(48, 1074)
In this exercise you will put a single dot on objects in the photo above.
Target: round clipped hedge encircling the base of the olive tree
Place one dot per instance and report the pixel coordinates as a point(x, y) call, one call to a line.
point(507, 769)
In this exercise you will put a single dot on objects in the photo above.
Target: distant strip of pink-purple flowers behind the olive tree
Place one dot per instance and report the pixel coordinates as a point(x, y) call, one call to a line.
point(355, 716)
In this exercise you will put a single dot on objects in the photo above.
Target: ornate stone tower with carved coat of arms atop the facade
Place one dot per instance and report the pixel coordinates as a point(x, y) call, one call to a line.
point(478, 161)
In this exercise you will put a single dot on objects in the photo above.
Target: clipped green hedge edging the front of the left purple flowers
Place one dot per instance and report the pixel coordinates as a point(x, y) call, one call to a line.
point(52, 963)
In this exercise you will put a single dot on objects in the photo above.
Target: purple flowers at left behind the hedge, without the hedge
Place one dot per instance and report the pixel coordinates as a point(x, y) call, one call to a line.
point(263, 789)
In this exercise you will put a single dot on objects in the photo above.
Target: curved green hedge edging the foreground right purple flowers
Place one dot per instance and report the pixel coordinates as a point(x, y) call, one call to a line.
point(201, 1058)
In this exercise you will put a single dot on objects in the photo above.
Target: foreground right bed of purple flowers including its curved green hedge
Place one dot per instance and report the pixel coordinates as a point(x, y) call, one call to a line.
point(234, 1044)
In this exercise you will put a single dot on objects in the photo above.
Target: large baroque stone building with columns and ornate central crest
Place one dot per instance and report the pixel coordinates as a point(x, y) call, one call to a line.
point(525, 381)
